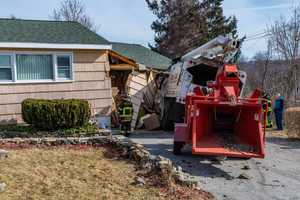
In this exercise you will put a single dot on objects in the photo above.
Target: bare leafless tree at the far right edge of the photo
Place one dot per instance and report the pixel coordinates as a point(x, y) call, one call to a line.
point(285, 34)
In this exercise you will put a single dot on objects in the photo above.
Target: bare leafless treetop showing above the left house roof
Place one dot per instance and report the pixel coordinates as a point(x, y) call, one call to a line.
point(73, 10)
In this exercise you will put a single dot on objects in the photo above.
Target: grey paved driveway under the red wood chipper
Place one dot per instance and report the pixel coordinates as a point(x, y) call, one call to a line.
point(275, 177)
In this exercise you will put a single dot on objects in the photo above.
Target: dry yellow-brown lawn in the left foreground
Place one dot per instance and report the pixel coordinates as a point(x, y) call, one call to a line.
point(69, 174)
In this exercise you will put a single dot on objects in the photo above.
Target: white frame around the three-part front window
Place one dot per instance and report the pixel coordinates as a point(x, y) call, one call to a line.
point(55, 69)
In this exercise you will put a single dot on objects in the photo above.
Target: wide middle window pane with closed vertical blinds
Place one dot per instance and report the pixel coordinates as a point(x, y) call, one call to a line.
point(34, 67)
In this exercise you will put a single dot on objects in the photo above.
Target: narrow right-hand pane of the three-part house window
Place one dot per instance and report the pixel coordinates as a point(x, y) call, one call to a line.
point(64, 66)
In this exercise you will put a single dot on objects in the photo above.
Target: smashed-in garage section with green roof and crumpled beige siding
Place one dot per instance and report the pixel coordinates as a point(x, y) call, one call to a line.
point(143, 87)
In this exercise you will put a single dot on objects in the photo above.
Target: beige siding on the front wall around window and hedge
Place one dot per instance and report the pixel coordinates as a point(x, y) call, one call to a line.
point(91, 83)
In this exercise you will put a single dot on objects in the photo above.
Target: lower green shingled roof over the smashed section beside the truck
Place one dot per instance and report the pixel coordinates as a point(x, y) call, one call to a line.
point(142, 55)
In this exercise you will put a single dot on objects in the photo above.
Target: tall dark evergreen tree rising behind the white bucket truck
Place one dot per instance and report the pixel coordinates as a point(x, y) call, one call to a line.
point(184, 25)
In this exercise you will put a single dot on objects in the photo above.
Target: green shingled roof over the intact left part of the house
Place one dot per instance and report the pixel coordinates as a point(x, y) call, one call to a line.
point(37, 31)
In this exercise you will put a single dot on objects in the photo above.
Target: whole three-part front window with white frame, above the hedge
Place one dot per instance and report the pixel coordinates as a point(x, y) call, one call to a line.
point(35, 67)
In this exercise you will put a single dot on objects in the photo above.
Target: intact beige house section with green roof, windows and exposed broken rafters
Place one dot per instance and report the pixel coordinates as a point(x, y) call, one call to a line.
point(54, 60)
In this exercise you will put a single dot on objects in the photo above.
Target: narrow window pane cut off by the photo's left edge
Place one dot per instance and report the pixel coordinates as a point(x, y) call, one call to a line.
point(5, 67)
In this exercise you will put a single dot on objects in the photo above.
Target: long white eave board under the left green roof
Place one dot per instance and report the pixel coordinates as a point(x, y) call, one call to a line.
point(55, 46)
